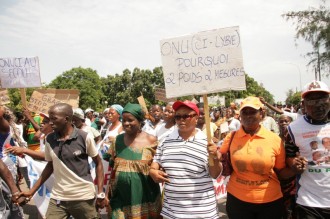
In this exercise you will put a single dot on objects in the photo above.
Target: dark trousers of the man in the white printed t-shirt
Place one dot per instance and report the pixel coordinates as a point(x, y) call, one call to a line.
point(304, 212)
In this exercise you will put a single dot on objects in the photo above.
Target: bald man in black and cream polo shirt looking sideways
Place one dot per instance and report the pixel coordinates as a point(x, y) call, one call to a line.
point(67, 150)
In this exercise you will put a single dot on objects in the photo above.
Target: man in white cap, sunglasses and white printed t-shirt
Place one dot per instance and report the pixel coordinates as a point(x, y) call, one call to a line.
point(313, 194)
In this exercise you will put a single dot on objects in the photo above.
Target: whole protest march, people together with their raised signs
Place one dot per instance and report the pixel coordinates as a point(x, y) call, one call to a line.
point(175, 157)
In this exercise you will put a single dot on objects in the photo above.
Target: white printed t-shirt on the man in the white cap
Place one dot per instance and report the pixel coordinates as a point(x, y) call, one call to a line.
point(314, 183)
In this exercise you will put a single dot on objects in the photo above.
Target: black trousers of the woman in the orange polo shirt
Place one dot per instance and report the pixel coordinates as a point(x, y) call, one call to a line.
point(237, 209)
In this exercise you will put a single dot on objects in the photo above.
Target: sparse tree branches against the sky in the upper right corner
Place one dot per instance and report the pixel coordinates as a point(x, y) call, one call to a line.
point(313, 25)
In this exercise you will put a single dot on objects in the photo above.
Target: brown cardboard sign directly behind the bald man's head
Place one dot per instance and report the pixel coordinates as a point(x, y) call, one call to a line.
point(42, 99)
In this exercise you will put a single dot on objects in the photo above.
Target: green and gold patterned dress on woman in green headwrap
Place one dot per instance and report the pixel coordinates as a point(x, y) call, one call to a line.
point(133, 192)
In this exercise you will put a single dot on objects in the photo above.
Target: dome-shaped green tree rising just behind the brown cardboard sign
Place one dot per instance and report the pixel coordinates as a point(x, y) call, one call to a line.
point(87, 81)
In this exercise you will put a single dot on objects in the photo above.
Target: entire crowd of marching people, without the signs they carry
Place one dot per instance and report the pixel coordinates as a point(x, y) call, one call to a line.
point(160, 164)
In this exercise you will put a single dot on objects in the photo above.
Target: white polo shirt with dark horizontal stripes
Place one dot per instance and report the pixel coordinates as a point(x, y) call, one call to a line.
point(190, 193)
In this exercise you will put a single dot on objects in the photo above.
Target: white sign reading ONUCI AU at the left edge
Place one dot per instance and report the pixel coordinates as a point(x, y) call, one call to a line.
point(20, 72)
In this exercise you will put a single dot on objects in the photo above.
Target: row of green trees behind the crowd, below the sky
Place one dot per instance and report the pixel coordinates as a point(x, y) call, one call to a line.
point(98, 93)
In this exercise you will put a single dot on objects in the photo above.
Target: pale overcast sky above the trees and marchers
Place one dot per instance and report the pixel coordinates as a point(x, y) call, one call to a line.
point(112, 35)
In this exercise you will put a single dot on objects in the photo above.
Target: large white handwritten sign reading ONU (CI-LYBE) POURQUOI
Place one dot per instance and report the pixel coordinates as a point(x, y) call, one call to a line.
point(203, 63)
